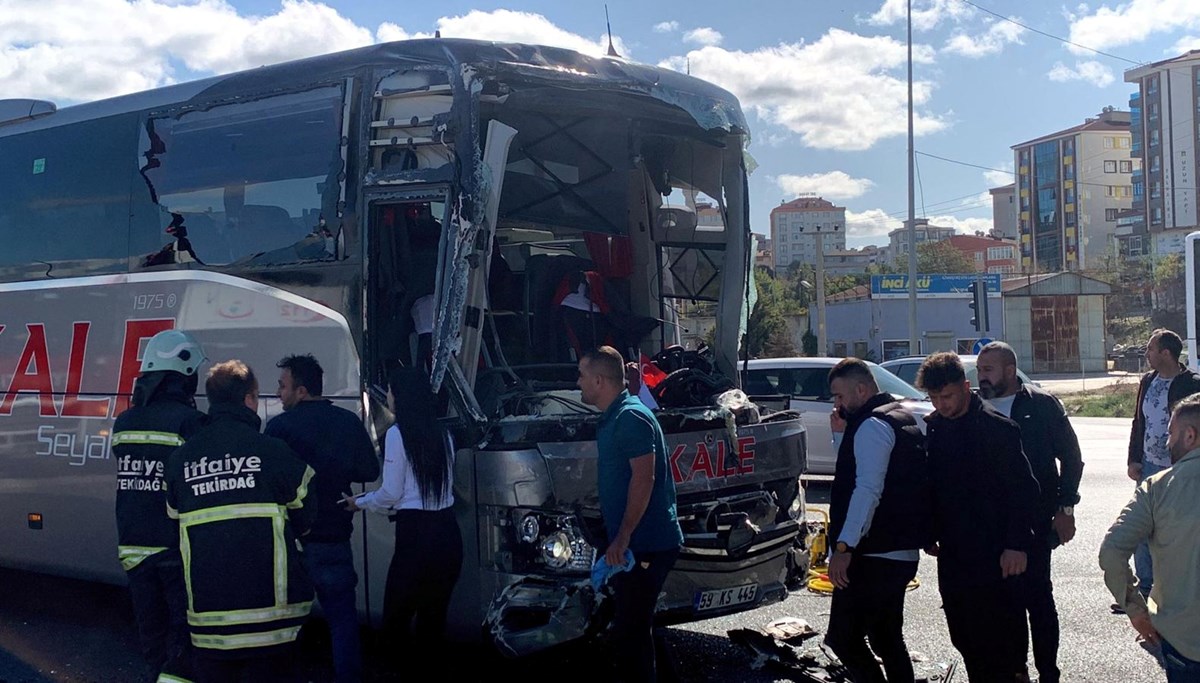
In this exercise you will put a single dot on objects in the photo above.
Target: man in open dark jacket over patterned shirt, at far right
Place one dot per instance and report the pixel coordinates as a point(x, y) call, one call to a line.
point(1167, 384)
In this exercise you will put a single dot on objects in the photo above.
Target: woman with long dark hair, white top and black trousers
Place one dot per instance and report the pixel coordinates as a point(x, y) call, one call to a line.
point(417, 494)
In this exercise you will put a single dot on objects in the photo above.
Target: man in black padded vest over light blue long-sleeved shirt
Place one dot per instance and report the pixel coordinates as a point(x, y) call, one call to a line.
point(879, 519)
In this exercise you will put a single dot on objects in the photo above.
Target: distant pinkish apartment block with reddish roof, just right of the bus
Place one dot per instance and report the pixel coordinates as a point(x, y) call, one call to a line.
point(796, 227)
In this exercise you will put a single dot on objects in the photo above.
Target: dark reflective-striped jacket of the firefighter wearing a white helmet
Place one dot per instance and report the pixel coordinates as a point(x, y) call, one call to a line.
point(143, 438)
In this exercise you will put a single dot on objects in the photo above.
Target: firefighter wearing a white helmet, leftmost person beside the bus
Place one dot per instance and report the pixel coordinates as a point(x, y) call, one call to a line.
point(163, 417)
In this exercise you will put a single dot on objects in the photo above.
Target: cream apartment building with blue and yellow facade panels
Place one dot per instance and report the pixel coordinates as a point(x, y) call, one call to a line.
point(1070, 188)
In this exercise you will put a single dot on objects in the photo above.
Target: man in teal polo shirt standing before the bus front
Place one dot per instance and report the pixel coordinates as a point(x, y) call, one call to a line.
point(638, 502)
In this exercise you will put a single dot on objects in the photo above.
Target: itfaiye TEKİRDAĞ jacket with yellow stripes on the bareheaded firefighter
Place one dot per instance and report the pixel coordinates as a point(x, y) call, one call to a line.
point(241, 499)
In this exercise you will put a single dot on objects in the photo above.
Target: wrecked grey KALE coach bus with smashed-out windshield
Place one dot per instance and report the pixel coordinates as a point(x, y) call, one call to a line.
point(483, 211)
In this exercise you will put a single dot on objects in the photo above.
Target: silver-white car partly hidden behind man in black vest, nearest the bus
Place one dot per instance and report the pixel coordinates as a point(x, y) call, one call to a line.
point(806, 381)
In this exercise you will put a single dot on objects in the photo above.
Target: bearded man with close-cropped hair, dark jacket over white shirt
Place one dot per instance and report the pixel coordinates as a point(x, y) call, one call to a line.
point(1047, 438)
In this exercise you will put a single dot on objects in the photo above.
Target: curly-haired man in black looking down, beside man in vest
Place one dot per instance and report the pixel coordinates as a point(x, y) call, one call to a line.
point(985, 504)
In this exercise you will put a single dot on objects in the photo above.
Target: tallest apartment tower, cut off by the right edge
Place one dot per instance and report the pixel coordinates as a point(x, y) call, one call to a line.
point(1166, 134)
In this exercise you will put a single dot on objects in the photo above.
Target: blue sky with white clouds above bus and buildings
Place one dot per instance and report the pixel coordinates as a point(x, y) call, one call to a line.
point(821, 81)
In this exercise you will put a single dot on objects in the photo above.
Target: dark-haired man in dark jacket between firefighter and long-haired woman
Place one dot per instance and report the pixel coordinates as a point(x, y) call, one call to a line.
point(334, 442)
